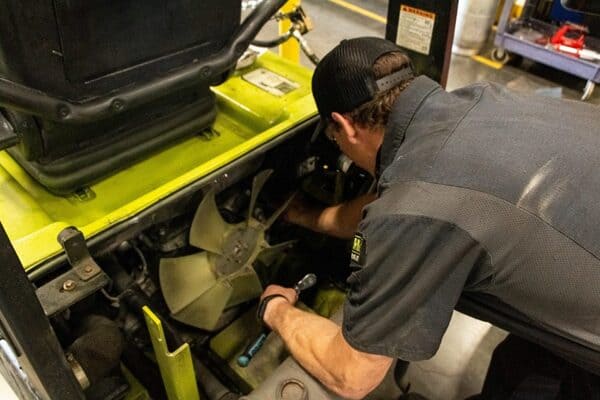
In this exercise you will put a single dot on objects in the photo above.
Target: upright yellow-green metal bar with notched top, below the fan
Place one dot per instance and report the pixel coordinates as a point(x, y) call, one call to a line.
point(176, 368)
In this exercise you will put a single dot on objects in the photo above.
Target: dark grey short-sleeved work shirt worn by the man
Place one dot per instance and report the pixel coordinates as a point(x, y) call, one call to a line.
point(486, 192)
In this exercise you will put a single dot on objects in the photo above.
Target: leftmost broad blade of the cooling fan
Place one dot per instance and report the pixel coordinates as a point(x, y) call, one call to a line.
point(183, 279)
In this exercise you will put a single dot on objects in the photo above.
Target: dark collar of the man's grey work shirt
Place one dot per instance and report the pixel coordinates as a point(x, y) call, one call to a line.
point(403, 111)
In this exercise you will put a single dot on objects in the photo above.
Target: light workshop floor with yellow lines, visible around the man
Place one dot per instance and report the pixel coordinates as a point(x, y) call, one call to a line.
point(458, 369)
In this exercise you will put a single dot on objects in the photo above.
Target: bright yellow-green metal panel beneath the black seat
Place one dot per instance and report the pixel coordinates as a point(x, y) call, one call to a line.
point(248, 117)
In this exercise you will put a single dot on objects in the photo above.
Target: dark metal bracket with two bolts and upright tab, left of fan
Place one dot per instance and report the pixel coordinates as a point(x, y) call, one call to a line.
point(85, 278)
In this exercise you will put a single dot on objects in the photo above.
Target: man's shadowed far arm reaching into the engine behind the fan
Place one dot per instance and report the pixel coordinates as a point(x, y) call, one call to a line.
point(340, 220)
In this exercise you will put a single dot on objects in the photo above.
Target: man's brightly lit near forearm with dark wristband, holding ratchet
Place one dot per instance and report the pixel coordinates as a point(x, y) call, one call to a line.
point(319, 346)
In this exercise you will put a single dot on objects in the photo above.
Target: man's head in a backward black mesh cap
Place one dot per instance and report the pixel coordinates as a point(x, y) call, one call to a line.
point(355, 86)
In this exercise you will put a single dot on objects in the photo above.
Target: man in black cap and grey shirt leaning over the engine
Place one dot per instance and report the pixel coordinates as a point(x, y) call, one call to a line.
point(481, 193)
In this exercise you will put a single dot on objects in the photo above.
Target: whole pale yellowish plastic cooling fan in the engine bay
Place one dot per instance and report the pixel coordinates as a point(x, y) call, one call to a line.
point(198, 288)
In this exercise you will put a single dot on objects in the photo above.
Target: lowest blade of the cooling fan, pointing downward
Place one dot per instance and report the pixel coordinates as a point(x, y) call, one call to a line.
point(206, 310)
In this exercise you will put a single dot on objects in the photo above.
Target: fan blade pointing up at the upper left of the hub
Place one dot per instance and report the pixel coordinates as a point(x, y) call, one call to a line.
point(208, 227)
